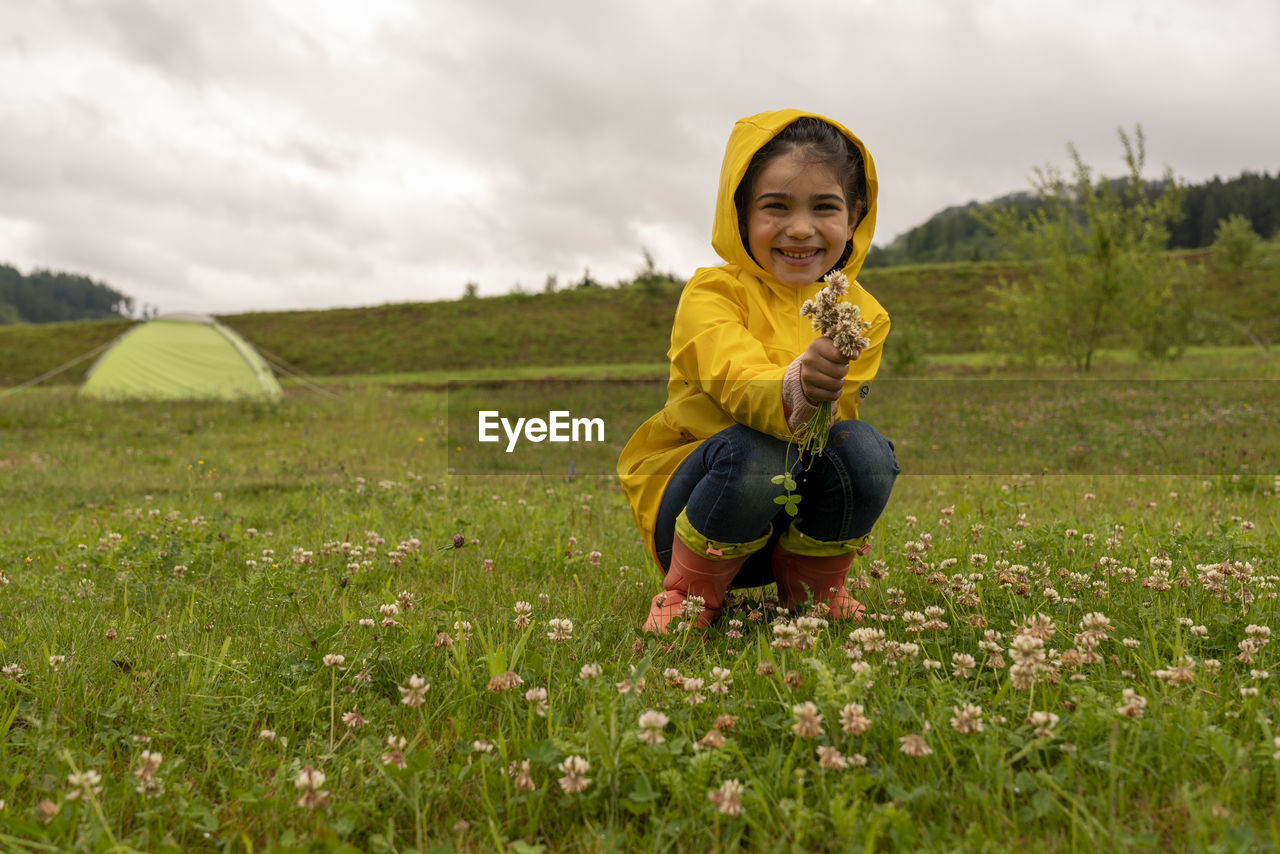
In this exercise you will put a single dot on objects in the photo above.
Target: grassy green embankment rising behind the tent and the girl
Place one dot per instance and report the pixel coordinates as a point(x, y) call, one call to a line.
point(601, 326)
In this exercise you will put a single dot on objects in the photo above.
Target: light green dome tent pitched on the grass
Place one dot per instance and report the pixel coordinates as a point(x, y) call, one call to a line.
point(181, 358)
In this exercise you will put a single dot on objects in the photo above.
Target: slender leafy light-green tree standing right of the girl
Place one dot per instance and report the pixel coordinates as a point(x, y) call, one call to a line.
point(1099, 275)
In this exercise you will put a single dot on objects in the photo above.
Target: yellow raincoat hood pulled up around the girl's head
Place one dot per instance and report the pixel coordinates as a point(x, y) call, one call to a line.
point(749, 136)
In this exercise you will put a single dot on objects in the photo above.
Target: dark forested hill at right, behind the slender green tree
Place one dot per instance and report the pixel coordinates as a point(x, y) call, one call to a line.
point(961, 234)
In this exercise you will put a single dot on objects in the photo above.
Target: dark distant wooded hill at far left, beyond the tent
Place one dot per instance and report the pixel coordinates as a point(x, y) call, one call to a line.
point(45, 296)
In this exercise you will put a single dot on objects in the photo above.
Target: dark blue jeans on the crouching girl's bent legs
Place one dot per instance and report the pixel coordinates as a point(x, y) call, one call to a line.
point(726, 491)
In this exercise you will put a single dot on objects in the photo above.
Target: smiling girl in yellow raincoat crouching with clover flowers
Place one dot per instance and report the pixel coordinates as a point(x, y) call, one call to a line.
point(797, 200)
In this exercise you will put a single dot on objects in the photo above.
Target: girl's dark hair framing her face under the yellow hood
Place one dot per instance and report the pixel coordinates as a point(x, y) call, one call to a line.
point(822, 144)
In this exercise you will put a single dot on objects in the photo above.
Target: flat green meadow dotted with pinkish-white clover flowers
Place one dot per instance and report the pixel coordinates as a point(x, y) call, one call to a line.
point(243, 629)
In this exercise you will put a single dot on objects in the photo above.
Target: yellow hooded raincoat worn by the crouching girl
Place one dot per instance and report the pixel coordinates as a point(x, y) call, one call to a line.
point(737, 332)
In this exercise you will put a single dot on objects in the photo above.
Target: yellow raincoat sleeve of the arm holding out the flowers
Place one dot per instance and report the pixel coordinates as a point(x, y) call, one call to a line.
point(712, 349)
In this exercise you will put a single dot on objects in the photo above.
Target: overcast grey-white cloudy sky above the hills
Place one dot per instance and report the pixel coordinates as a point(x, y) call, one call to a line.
point(294, 154)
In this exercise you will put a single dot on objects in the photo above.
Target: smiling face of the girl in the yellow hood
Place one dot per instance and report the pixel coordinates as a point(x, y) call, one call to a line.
point(798, 221)
